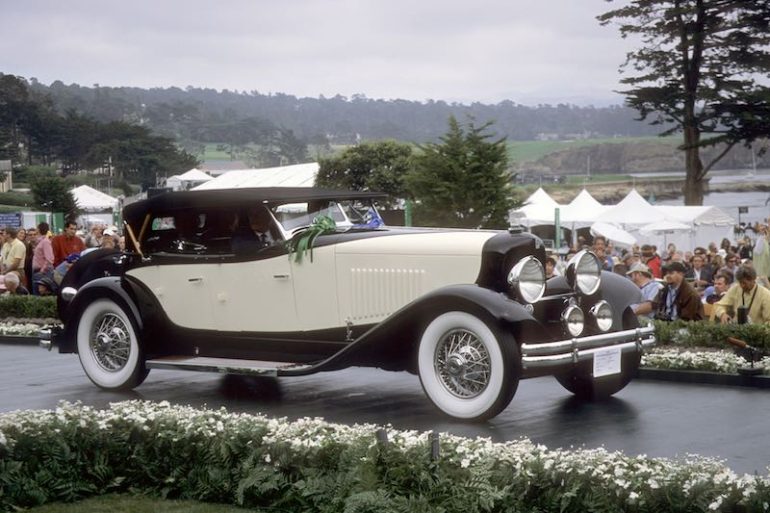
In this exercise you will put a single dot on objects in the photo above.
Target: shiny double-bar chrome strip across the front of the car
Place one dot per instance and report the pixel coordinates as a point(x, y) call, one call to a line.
point(537, 352)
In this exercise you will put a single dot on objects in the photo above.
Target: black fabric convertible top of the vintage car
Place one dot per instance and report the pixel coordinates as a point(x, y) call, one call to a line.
point(223, 197)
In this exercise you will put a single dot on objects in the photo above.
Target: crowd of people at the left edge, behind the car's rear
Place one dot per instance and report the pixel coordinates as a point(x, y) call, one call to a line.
point(34, 260)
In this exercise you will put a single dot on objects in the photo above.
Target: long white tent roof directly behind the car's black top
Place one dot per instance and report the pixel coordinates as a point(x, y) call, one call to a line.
point(299, 175)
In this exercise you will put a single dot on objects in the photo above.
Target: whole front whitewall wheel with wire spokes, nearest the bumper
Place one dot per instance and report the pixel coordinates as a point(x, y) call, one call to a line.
point(468, 368)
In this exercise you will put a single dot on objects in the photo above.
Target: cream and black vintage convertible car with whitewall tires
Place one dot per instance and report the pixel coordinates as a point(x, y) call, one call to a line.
point(469, 311)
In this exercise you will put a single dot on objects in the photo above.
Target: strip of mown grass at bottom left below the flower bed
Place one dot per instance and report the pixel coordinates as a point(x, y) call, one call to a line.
point(135, 504)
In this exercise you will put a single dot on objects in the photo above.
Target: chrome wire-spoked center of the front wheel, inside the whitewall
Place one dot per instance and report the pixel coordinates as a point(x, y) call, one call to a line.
point(462, 363)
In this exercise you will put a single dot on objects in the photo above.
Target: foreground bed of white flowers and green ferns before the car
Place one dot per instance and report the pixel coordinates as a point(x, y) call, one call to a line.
point(311, 465)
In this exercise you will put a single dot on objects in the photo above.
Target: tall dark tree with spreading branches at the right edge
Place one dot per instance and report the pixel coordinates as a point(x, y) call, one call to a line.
point(696, 71)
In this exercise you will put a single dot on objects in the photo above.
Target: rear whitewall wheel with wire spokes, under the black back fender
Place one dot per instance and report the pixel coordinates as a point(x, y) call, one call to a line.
point(109, 348)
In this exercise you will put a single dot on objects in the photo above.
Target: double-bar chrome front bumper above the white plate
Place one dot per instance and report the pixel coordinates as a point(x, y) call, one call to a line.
point(572, 351)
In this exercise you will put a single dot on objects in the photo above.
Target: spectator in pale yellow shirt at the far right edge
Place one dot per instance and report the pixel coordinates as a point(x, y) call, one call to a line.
point(746, 293)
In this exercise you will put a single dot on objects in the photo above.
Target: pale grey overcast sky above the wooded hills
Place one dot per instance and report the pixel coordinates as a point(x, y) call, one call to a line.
point(526, 51)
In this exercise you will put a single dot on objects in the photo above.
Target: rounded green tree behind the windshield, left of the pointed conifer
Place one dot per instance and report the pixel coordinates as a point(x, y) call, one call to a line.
point(369, 166)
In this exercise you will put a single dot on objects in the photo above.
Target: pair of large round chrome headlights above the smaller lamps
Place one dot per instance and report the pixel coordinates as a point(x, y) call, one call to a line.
point(583, 274)
